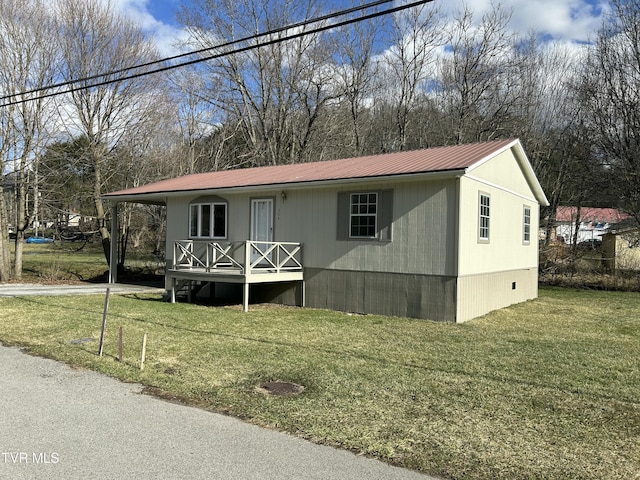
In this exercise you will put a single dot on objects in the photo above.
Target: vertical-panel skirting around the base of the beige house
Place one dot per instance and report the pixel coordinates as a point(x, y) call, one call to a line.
point(431, 297)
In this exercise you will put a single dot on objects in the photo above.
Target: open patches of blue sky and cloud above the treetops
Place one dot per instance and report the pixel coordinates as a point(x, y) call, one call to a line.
point(560, 20)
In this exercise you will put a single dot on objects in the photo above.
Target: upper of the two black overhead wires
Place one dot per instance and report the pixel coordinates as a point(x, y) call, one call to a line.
point(202, 50)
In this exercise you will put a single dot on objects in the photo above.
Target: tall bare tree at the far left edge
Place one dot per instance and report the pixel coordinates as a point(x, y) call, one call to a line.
point(27, 62)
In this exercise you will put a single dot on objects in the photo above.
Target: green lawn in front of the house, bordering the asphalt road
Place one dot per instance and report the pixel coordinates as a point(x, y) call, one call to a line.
point(546, 389)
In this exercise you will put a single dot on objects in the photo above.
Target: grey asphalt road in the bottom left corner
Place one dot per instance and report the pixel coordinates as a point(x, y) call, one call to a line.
point(61, 423)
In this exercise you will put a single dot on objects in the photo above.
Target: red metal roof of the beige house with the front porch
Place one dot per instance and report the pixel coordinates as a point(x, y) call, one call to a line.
point(432, 160)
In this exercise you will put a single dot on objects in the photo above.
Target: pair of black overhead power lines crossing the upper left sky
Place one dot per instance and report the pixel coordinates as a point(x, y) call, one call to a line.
point(217, 47)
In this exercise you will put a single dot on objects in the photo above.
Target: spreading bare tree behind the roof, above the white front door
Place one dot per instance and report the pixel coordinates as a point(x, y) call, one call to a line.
point(276, 93)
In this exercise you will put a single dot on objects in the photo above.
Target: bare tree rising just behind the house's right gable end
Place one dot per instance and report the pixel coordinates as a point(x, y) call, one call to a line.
point(548, 120)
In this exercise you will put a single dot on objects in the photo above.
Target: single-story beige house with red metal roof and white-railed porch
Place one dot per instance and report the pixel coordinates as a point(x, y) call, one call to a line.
point(446, 233)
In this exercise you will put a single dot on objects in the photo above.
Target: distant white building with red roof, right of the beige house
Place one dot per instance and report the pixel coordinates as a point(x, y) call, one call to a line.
point(591, 225)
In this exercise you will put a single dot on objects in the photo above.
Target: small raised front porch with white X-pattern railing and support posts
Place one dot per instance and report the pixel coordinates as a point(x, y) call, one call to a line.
point(244, 262)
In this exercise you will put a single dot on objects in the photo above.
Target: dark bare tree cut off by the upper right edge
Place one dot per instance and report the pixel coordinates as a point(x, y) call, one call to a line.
point(610, 94)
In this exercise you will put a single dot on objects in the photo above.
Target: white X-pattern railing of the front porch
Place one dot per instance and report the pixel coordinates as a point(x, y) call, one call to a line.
point(246, 258)
